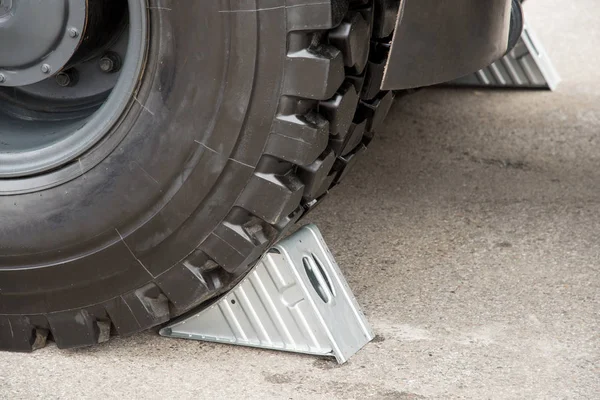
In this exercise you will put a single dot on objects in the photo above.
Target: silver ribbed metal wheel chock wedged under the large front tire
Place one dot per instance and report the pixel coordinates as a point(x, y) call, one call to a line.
point(295, 299)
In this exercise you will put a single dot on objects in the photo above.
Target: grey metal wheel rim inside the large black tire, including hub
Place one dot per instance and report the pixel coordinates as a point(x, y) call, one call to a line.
point(55, 109)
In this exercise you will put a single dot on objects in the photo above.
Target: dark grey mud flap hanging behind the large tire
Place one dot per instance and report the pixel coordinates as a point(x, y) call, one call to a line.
point(436, 41)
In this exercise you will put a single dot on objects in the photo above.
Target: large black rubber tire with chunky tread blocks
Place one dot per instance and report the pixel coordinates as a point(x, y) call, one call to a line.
point(243, 121)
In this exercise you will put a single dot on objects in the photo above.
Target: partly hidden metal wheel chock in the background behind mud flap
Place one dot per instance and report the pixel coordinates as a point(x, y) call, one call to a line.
point(526, 66)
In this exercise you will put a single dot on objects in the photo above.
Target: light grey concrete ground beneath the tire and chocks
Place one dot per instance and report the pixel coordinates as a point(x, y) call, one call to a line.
point(470, 235)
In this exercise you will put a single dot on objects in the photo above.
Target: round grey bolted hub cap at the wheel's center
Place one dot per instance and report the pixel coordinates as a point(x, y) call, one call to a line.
point(38, 38)
